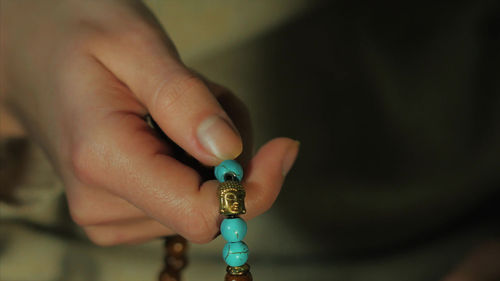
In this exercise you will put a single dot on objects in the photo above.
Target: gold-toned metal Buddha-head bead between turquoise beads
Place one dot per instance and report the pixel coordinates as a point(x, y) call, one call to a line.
point(232, 198)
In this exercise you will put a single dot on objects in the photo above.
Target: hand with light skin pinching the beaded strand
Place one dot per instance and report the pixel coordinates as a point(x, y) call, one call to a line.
point(81, 75)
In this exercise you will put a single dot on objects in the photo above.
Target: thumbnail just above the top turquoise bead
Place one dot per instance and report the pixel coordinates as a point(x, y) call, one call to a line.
point(219, 138)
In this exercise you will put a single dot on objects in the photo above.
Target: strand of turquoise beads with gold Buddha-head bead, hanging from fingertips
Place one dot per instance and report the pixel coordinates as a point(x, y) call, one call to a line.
point(232, 204)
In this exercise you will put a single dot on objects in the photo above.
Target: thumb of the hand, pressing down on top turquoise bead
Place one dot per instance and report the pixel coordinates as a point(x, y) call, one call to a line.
point(178, 100)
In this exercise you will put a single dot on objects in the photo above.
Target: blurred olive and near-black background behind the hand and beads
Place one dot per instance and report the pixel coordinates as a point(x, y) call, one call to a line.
point(397, 107)
